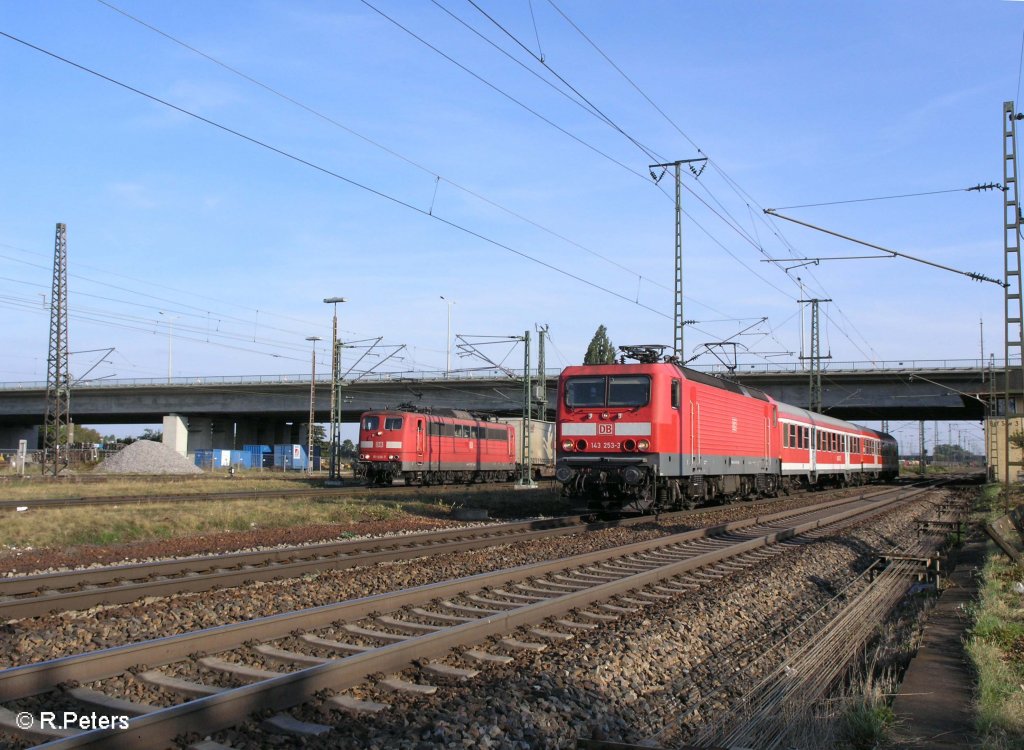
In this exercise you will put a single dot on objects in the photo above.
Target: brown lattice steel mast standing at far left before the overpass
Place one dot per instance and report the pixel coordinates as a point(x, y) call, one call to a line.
point(57, 428)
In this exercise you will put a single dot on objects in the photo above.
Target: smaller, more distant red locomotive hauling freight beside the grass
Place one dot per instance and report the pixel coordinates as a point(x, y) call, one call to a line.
point(444, 447)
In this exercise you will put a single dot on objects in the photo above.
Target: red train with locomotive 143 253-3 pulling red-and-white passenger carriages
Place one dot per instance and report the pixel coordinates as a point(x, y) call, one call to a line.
point(655, 436)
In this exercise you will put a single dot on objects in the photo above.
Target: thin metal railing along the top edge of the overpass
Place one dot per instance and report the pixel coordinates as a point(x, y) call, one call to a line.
point(492, 373)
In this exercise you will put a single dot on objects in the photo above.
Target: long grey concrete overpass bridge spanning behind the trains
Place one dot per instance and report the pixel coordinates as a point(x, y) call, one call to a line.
point(227, 412)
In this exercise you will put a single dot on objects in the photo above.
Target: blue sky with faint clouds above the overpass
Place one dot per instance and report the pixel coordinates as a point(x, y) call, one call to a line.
point(795, 103)
